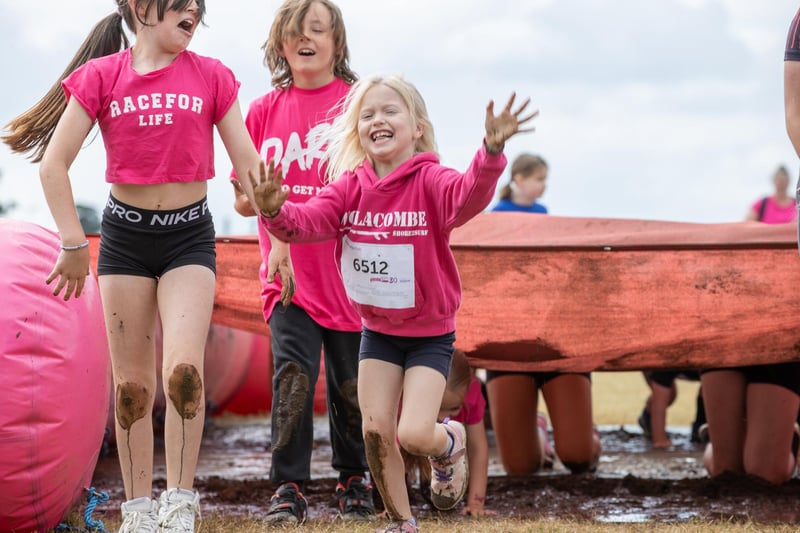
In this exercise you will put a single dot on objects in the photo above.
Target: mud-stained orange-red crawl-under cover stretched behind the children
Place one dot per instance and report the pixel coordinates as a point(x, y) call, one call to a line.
point(582, 294)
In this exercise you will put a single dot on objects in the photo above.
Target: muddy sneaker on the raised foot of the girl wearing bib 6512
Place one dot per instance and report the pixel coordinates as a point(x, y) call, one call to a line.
point(449, 472)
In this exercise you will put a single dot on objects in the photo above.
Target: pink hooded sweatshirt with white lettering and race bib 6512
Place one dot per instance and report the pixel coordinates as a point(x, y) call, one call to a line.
point(393, 237)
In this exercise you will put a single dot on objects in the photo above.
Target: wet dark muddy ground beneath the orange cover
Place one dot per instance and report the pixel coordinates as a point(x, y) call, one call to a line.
point(633, 483)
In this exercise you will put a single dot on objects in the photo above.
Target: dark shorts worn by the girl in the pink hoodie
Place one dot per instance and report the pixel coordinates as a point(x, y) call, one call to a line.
point(434, 352)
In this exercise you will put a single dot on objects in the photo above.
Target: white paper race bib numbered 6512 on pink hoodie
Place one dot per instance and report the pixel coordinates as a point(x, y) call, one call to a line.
point(381, 275)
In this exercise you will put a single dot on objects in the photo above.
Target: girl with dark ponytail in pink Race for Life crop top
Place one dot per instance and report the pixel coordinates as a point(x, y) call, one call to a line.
point(156, 105)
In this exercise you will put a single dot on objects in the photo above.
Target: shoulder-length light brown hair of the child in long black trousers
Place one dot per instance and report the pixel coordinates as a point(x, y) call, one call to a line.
point(289, 22)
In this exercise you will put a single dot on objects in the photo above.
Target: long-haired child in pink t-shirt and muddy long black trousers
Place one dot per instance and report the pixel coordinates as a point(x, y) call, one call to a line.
point(307, 54)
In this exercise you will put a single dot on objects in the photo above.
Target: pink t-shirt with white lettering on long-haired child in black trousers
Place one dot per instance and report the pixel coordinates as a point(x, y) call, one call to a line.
point(286, 124)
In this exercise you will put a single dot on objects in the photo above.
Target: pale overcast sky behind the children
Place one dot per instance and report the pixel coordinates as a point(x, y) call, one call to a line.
point(652, 109)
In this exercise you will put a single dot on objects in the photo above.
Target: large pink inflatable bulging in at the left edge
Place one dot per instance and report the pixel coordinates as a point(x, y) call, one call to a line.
point(54, 383)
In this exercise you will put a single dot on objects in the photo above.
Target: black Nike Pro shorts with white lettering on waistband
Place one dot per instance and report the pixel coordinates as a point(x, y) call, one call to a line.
point(141, 242)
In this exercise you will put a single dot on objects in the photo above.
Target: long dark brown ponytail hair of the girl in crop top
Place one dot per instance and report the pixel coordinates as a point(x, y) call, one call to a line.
point(31, 131)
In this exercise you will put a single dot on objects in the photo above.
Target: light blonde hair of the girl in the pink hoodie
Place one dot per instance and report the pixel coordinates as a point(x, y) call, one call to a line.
point(345, 152)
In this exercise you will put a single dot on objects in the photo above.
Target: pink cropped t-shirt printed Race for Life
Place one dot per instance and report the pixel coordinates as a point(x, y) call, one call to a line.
point(157, 127)
